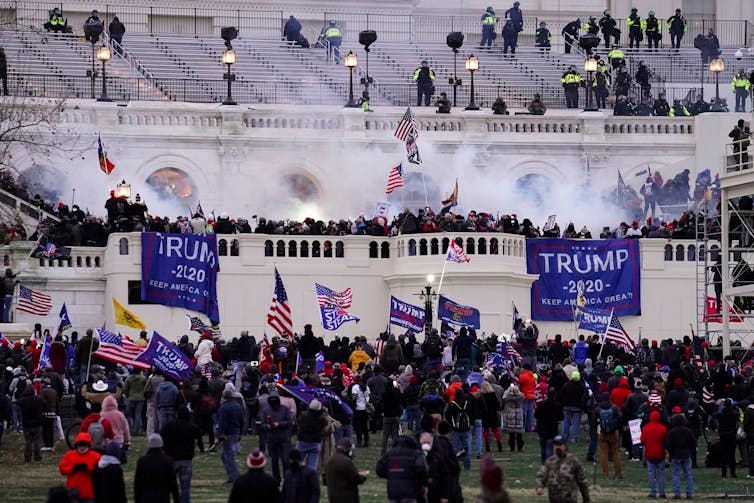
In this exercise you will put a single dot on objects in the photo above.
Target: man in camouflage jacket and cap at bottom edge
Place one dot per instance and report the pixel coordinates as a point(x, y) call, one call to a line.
point(562, 475)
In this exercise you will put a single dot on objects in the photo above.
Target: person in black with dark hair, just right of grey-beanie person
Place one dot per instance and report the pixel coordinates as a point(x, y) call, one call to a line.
point(179, 439)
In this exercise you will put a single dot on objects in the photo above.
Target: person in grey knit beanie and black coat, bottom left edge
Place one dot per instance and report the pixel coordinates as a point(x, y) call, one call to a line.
point(154, 479)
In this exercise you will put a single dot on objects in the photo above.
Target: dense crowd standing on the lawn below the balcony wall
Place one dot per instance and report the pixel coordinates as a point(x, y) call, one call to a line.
point(436, 404)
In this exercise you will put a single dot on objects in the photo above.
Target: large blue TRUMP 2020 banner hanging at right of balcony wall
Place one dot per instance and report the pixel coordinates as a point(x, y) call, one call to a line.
point(600, 274)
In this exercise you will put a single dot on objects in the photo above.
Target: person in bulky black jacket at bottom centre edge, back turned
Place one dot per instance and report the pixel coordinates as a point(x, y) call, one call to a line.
point(405, 469)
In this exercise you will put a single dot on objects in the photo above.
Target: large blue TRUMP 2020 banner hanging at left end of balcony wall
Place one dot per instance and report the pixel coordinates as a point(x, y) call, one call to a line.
point(180, 270)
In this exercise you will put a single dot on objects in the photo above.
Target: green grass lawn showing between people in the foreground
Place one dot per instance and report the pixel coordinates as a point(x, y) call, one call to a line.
point(29, 483)
